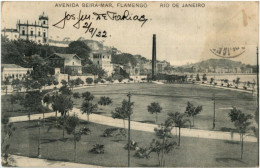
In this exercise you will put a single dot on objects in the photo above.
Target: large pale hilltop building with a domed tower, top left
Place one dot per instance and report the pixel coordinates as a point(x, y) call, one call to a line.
point(37, 31)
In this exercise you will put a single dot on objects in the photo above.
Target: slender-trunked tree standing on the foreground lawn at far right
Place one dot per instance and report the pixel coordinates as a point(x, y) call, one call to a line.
point(241, 123)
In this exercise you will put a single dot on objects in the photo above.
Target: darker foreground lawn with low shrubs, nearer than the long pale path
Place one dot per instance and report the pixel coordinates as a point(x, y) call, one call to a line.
point(193, 152)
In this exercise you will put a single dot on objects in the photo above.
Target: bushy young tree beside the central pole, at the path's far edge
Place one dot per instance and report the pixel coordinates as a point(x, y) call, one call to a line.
point(124, 111)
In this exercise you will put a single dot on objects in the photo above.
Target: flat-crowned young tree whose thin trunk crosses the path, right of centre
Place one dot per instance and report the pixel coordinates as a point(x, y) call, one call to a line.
point(178, 120)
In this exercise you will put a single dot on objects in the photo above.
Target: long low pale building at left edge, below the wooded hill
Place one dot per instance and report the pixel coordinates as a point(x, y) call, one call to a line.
point(13, 71)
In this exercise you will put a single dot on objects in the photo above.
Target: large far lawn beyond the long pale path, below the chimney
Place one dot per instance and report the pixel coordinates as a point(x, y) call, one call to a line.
point(173, 98)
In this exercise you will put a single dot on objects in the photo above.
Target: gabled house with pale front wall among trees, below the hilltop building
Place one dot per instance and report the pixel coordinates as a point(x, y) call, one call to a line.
point(68, 63)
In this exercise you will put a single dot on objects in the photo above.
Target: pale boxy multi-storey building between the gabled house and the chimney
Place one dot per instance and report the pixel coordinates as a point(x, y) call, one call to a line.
point(102, 59)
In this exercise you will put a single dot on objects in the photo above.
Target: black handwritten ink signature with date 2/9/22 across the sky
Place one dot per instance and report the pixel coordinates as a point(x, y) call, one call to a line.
point(88, 24)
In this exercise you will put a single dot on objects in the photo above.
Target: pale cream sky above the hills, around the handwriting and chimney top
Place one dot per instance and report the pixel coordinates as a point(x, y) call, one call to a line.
point(184, 35)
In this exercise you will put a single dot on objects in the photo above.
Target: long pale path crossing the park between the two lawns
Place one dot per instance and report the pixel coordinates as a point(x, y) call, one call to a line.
point(105, 120)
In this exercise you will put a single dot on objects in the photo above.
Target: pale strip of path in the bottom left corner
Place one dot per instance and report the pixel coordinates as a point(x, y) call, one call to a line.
point(21, 161)
